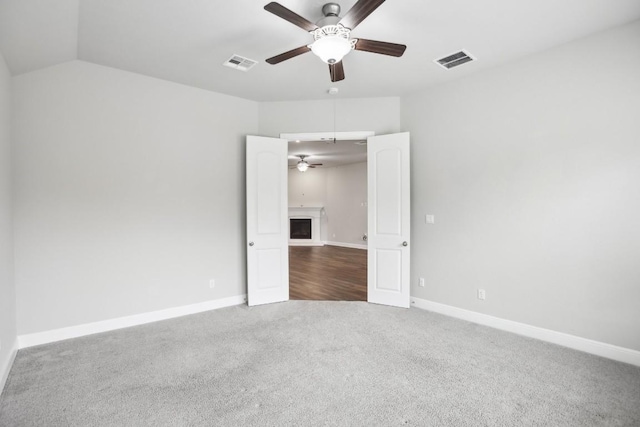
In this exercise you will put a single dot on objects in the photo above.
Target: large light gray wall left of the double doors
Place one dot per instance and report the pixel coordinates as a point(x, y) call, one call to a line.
point(130, 195)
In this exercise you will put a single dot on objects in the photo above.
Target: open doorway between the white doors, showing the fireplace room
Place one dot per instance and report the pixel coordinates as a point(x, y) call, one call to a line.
point(333, 183)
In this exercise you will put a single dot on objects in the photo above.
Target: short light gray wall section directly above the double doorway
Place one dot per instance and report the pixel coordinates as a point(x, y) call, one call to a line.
point(381, 115)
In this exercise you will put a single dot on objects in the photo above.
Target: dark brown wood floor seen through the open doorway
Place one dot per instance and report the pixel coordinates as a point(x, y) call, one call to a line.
point(327, 273)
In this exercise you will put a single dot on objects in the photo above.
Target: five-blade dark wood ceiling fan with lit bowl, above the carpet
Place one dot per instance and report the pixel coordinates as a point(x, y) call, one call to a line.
point(331, 35)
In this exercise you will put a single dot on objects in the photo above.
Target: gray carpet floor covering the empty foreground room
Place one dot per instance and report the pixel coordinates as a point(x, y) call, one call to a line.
point(312, 363)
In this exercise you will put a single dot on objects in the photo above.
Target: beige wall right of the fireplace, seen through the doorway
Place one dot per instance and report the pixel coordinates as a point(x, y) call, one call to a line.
point(346, 204)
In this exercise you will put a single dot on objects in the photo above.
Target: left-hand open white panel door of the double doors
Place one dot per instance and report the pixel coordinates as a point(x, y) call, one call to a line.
point(267, 228)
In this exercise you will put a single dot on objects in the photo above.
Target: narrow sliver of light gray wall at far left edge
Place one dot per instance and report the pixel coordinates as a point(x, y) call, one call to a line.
point(7, 287)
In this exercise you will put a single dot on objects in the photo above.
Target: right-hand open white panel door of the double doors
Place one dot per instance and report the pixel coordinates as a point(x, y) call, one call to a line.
point(389, 220)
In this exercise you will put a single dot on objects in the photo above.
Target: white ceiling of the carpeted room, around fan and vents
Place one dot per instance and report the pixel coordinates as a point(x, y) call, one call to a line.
point(186, 42)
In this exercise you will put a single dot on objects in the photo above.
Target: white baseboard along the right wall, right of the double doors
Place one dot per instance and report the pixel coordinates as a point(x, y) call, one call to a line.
point(598, 348)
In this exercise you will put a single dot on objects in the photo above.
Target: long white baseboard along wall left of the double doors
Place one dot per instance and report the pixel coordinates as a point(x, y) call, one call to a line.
point(29, 340)
